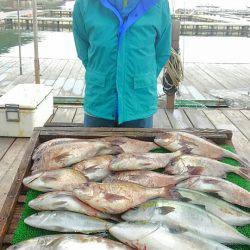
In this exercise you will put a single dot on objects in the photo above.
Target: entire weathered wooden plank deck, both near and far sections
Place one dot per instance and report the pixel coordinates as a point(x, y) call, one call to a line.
point(67, 79)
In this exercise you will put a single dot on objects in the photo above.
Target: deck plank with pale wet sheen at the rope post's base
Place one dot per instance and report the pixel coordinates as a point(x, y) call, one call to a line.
point(178, 119)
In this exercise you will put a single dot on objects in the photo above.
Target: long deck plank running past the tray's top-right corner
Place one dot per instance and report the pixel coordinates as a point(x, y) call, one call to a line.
point(220, 121)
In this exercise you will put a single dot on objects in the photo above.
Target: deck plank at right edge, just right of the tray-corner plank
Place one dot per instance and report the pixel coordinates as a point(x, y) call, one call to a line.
point(239, 120)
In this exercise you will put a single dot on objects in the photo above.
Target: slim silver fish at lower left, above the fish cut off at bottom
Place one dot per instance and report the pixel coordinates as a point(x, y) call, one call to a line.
point(67, 222)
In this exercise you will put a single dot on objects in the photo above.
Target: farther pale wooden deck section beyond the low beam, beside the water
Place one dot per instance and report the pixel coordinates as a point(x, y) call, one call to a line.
point(67, 77)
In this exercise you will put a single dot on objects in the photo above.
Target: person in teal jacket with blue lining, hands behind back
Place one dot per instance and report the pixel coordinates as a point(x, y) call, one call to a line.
point(123, 44)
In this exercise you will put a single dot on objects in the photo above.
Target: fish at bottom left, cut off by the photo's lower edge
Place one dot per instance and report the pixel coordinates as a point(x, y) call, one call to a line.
point(69, 241)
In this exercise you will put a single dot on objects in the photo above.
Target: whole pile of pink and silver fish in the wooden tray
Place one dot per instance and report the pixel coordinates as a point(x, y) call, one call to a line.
point(112, 186)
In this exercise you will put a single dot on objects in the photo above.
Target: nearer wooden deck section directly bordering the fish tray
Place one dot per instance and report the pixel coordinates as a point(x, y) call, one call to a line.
point(12, 150)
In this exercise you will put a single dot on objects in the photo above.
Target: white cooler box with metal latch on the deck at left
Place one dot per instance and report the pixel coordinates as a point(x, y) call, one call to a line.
point(23, 108)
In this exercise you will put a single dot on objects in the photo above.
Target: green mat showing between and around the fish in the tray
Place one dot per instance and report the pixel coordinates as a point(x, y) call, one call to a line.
point(24, 232)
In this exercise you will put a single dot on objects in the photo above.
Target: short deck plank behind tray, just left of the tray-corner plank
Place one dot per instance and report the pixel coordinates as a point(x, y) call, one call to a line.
point(198, 119)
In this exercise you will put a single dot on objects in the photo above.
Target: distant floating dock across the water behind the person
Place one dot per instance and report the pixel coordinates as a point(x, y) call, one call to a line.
point(191, 24)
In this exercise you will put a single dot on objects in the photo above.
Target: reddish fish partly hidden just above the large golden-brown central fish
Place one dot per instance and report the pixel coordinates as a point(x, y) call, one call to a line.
point(145, 178)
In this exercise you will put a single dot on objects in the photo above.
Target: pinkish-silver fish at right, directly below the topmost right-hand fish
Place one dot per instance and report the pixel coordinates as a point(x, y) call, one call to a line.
point(197, 165)
